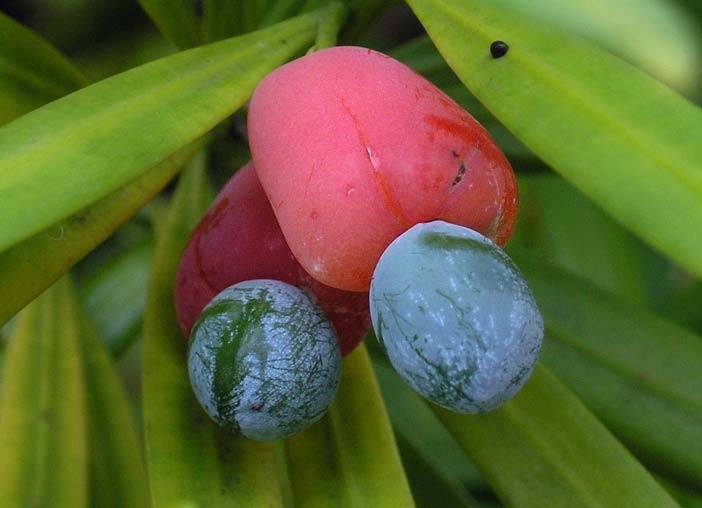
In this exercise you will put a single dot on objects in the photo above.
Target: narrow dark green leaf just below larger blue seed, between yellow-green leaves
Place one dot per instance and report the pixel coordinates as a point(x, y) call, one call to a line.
point(432, 457)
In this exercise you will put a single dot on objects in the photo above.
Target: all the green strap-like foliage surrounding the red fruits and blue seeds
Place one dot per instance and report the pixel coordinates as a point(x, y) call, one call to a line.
point(104, 102)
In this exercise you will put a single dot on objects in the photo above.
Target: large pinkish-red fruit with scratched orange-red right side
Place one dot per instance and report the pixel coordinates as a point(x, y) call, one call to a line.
point(353, 148)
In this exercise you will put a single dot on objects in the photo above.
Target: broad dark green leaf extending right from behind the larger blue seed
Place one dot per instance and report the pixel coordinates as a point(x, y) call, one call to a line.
point(637, 372)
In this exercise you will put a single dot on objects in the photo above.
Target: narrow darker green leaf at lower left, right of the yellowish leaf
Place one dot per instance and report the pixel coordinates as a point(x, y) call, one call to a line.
point(118, 474)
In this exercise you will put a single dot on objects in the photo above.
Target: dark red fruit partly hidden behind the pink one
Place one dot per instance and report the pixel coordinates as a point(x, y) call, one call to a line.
point(239, 239)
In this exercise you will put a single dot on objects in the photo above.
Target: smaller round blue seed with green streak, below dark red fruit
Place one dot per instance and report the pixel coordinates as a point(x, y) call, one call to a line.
point(264, 360)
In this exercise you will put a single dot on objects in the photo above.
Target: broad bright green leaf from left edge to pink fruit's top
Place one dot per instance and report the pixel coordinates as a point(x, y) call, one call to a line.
point(76, 150)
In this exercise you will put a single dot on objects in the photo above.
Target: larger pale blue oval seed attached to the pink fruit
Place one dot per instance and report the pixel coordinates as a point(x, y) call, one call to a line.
point(455, 316)
